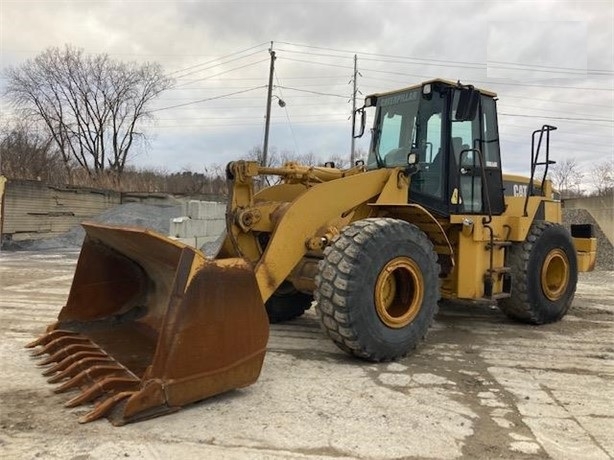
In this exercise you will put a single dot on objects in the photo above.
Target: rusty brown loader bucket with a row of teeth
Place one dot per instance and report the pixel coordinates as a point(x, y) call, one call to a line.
point(150, 325)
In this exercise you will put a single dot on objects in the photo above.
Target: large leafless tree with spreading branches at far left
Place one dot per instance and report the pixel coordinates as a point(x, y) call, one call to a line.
point(92, 106)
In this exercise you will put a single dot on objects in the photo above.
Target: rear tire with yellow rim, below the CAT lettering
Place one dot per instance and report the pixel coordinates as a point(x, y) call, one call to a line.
point(544, 275)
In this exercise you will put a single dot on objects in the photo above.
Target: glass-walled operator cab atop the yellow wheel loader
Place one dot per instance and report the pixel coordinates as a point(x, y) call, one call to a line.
point(451, 131)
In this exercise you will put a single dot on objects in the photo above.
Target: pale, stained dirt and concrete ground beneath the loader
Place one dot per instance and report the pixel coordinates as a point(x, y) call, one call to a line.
point(482, 386)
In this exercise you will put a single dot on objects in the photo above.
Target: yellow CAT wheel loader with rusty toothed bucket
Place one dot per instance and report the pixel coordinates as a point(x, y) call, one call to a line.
point(151, 324)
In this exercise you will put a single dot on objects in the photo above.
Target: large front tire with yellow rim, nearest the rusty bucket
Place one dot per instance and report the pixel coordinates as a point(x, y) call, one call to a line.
point(377, 288)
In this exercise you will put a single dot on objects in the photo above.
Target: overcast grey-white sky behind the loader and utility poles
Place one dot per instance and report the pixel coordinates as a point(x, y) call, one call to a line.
point(550, 62)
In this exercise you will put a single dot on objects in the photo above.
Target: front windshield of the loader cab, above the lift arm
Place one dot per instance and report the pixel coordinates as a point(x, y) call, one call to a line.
point(394, 132)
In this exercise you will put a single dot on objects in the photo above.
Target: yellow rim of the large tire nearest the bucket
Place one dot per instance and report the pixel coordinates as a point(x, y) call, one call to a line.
point(399, 291)
